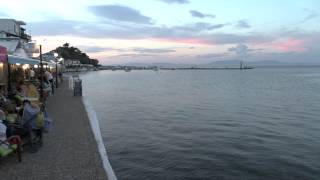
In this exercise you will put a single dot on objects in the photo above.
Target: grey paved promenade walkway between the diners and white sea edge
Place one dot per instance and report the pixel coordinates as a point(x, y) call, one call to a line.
point(69, 150)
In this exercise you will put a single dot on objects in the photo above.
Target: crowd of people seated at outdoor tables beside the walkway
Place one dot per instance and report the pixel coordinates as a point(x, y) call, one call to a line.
point(23, 114)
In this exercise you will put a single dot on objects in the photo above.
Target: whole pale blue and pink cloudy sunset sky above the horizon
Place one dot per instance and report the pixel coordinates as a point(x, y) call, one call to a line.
point(175, 31)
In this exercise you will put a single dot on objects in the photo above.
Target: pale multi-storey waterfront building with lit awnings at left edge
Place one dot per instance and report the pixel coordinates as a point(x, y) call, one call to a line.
point(17, 49)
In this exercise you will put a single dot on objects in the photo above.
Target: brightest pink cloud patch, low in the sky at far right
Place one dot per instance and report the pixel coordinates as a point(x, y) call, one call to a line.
point(290, 45)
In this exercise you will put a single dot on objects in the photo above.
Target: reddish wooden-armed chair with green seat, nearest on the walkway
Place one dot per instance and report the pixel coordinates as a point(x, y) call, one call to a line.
point(11, 145)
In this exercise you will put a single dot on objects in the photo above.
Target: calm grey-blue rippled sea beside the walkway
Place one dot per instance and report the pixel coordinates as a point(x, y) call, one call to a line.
point(225, 124)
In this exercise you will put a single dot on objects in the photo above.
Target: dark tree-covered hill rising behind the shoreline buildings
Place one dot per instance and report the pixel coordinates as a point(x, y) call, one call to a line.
point(69, 52)
